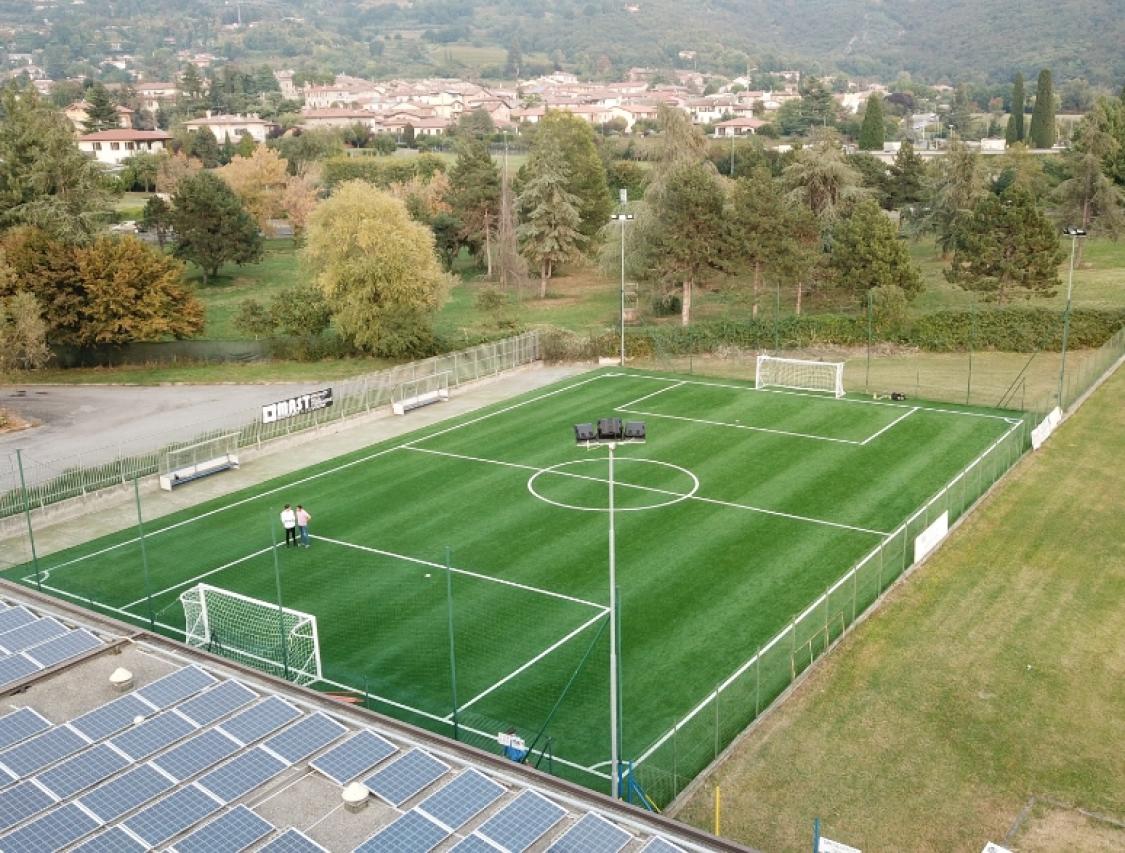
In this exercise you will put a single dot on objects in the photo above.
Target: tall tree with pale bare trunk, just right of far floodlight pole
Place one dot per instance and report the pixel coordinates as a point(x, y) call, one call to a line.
point(689, 234)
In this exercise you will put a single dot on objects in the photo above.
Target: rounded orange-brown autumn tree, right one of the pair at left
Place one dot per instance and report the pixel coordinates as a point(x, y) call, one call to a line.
point(133, 293)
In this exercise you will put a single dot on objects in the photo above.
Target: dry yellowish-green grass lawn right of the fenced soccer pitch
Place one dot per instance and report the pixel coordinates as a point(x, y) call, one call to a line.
point(995, 676)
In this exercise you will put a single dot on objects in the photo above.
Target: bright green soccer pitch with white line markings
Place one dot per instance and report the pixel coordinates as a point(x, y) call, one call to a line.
point(742, 510)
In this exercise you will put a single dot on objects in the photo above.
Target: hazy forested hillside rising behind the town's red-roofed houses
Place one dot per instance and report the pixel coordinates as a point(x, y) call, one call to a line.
point(932, 40)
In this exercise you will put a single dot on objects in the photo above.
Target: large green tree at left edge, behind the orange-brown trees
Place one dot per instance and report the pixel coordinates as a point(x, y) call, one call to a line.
point(46, 181)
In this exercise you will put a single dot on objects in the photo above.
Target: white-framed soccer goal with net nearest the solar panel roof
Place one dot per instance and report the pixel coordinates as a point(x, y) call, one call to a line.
point(278, 641)
